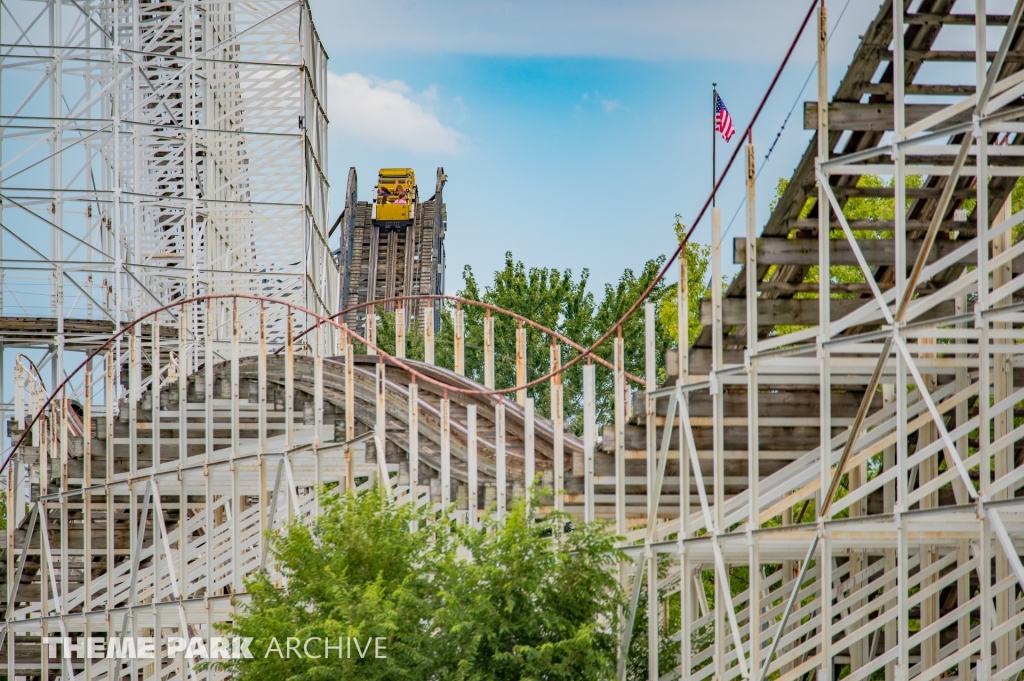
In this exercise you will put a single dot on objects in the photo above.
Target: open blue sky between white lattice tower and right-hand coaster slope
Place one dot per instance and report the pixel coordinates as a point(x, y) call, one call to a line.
point(572, 132)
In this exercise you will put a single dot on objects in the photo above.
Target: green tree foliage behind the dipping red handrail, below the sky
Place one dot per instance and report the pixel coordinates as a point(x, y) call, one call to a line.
point(563, 303)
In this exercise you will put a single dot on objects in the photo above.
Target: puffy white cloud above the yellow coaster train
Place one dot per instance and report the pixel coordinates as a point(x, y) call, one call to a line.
point(383, 114)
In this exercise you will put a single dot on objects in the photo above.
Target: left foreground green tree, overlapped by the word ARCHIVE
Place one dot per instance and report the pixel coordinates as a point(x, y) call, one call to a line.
point(359, 572)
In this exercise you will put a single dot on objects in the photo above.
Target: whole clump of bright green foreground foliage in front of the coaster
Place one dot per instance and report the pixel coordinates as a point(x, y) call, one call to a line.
point(527, 599)
